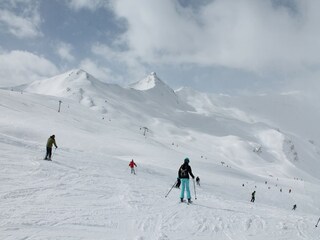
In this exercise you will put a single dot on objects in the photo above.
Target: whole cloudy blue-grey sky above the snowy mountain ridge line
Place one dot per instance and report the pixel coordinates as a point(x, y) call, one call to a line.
point(209, 45)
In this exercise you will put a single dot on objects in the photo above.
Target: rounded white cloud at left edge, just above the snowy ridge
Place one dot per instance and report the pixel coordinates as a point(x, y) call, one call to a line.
point(19, 67)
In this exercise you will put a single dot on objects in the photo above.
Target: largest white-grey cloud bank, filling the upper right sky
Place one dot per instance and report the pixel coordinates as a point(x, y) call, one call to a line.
point(253, 35)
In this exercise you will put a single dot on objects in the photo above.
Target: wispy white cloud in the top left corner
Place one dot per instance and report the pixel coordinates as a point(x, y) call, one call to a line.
point(23, 23)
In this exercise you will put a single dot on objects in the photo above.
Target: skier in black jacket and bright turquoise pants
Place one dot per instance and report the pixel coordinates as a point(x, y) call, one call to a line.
point(184, 172)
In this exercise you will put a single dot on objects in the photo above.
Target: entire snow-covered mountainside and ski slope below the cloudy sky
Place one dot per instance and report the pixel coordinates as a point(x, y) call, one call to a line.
point(87, 191)
